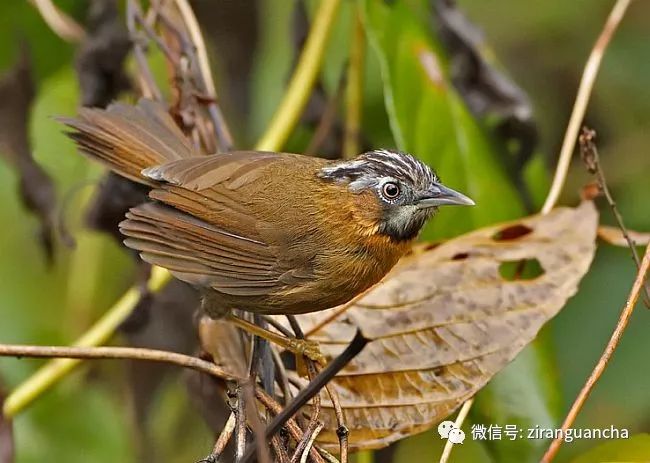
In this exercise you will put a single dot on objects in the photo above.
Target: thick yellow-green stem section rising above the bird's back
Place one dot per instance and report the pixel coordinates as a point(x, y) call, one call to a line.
point(302, 81)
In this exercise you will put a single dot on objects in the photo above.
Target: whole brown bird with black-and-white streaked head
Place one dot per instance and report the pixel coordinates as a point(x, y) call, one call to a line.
point(269, 233)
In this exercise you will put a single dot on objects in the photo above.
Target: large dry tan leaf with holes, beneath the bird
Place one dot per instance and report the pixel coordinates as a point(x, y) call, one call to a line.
point(445, 321)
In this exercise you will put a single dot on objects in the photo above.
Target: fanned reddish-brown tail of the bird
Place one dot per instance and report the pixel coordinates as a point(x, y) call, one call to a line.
point(128, 139)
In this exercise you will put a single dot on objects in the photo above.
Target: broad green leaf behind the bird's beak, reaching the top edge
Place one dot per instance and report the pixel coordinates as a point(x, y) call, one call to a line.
point(429, 119)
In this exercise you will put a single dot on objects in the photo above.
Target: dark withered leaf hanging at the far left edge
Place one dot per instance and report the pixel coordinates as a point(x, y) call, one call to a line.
point(36, 187)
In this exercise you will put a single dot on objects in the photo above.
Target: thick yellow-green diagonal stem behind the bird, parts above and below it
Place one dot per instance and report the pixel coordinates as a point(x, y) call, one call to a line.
point(284, 120)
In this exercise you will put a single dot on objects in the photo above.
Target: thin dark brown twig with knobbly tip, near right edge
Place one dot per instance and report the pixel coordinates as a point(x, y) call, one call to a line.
point(589, 154)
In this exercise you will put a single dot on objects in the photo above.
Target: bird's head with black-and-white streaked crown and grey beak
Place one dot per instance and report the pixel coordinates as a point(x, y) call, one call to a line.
point(406, 189)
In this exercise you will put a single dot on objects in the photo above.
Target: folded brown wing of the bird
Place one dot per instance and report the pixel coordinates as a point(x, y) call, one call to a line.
point(213, 233)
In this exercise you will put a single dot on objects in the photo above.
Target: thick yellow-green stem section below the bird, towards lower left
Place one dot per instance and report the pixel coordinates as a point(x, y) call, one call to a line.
point(96, 335)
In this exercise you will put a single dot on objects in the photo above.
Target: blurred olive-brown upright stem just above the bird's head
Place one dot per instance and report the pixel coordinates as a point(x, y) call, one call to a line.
point(354, 89)
